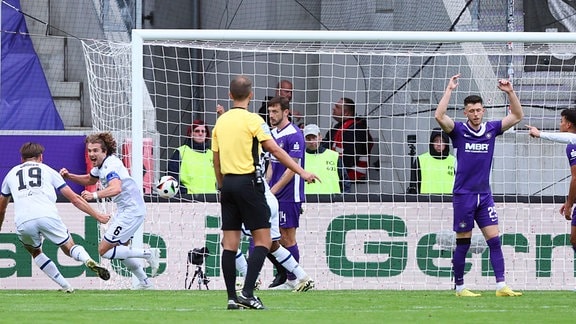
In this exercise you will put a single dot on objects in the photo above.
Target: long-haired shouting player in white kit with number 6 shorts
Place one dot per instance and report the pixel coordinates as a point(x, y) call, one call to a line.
point(131, 210)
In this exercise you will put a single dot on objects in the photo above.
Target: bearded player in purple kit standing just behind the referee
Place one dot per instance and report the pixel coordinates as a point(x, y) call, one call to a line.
point(287, 186)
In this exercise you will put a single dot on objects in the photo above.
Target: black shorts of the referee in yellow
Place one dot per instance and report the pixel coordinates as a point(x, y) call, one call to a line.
point(243, 201)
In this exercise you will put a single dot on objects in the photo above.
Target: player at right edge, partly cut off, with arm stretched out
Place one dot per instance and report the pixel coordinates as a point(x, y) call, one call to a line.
point(568, 136)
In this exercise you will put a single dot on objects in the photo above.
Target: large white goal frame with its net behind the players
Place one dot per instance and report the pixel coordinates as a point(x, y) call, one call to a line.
point(379, 235)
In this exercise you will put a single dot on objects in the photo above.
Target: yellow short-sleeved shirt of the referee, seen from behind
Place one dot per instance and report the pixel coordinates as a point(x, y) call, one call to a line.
point(233, 137)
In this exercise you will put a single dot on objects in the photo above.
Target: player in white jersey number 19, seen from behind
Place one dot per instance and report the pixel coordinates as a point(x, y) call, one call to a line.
point(32, 185)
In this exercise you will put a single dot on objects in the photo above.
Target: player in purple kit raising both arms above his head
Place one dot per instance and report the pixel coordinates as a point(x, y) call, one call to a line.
point(472, 200)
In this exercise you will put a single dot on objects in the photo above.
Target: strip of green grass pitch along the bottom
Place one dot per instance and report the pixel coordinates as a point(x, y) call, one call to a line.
point(350, 306)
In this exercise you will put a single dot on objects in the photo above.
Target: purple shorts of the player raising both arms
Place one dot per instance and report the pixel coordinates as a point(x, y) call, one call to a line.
point(470, 208)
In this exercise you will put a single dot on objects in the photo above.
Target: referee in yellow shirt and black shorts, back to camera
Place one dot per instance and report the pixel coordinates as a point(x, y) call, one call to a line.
point(236, 141)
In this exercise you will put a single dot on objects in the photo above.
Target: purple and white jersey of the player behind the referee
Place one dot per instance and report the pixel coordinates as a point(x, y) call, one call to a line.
point(291, 140)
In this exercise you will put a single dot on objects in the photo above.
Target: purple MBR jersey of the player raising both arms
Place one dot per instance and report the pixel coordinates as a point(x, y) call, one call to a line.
point(474, 151)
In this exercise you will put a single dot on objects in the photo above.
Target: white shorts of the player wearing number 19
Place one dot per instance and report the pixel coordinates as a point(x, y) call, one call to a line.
point(53, 229)
